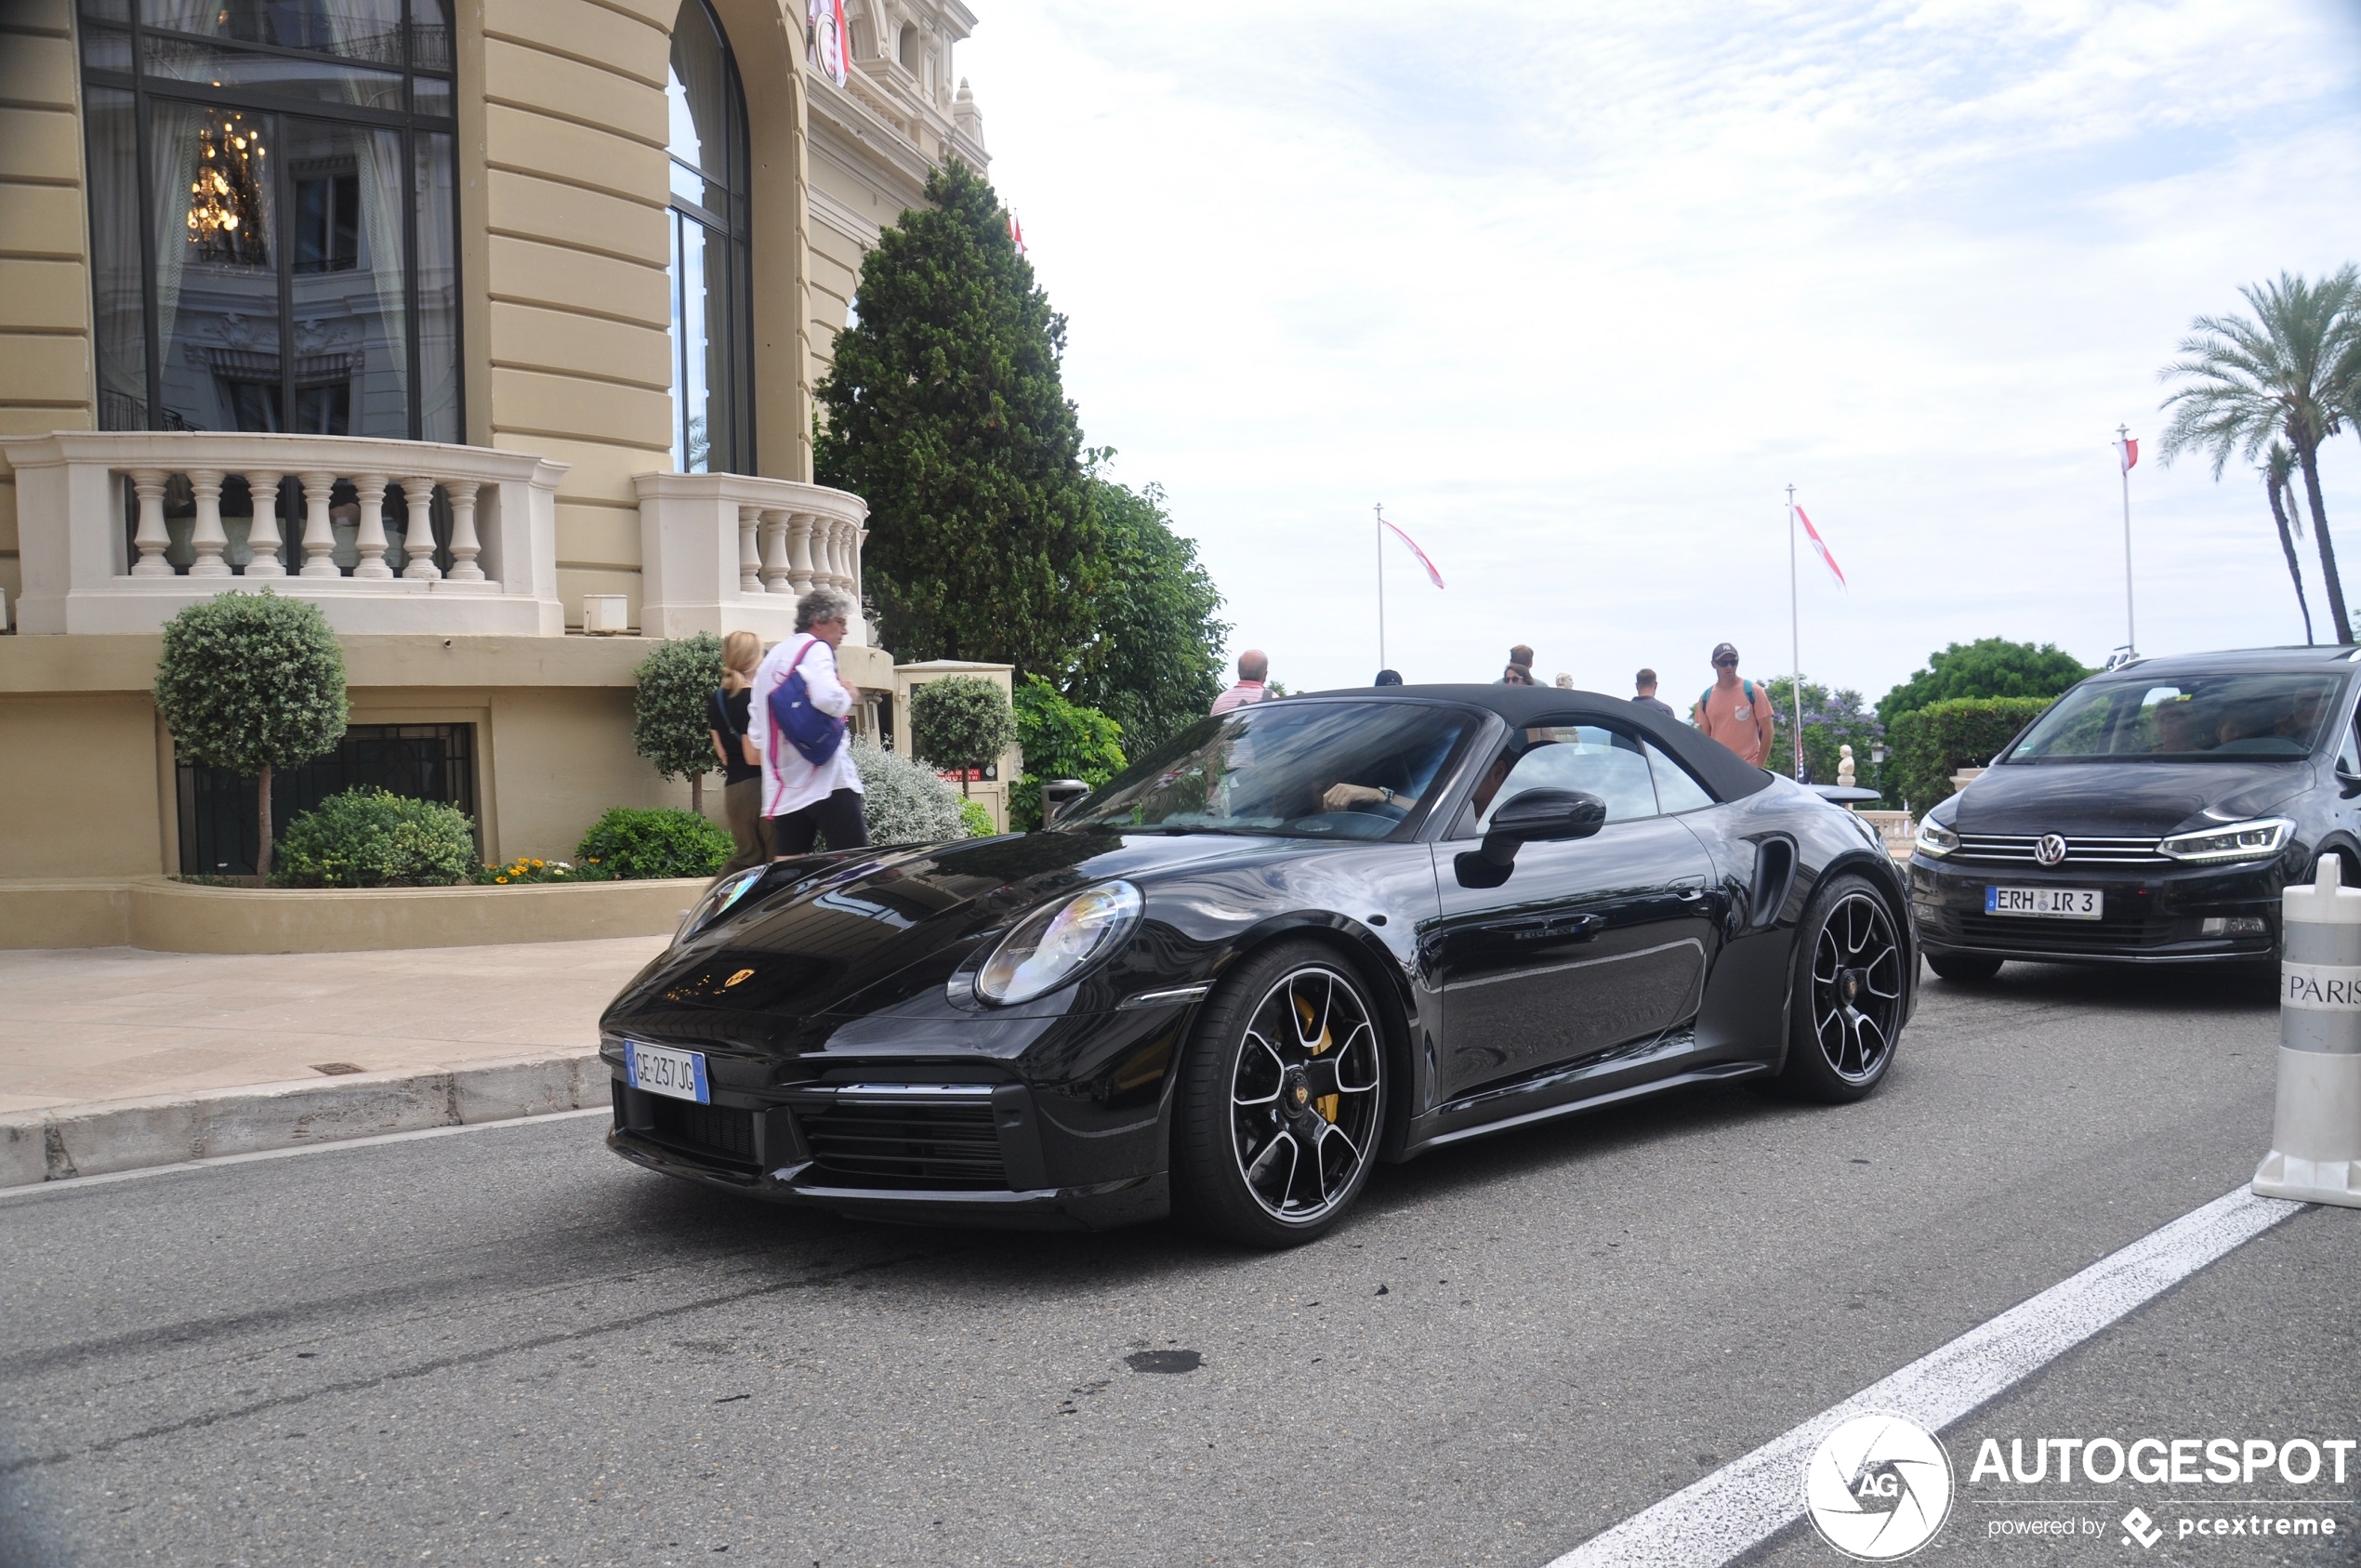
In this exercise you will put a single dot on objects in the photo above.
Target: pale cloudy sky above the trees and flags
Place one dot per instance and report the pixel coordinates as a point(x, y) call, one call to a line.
point(1576, 292)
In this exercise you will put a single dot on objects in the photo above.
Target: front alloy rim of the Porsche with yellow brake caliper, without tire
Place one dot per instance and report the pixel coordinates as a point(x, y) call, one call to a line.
point(1304, 1095)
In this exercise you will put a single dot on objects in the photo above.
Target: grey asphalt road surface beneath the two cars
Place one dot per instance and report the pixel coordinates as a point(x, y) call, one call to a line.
point(509, 1347)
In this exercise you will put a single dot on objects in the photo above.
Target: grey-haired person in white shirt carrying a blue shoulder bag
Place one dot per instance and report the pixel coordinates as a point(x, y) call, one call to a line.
point(809, 797)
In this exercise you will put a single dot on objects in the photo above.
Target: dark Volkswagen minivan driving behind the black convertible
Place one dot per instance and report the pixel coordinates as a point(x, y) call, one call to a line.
point(2152, 816)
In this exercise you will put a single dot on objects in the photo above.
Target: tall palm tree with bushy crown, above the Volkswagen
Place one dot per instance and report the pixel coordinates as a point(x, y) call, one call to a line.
point(2249, 381)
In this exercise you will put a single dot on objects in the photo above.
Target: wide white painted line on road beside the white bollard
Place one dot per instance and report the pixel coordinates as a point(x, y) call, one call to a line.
point(1758, 1496)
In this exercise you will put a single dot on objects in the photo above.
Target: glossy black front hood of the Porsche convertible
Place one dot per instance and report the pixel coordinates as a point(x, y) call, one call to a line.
point(851, 934)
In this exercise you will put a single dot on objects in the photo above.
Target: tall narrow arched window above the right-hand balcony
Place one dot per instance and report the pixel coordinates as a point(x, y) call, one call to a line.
point(712, 266)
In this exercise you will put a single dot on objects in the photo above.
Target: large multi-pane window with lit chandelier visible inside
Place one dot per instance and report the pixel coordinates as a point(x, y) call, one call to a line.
point(273, 211)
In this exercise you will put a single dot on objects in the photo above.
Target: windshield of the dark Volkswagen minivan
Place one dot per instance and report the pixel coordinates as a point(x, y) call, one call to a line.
point(2187, 721)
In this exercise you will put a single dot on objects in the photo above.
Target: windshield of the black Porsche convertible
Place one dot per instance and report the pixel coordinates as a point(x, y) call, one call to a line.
point(1300, 769)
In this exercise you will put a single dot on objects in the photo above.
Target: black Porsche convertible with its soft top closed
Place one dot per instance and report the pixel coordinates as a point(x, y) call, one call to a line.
point(1300, 939)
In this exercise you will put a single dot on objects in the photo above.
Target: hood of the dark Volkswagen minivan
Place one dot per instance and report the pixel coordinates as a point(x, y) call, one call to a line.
point(2121, 799)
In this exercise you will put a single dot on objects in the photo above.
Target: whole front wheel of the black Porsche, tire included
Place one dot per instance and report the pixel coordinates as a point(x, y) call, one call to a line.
point(1283, 1099)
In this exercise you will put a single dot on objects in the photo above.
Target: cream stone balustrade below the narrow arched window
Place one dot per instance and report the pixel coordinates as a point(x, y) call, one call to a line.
point(735, 554)
